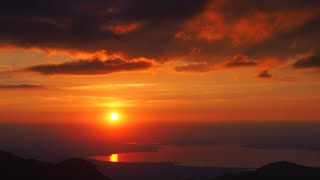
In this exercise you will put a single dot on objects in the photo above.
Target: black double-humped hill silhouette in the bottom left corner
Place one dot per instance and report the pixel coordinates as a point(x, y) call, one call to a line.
point(17, 168)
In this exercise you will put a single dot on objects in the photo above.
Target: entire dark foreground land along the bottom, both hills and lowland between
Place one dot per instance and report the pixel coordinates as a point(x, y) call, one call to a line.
point(16, 168)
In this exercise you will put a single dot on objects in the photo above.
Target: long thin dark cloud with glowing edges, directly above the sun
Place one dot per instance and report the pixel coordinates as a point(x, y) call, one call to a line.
point(91, 67)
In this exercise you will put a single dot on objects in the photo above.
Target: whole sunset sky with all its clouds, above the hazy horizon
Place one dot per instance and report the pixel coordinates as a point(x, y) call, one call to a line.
point(170, 60)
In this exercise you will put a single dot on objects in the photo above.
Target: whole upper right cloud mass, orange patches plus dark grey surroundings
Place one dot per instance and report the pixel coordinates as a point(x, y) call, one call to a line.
point(257, 29)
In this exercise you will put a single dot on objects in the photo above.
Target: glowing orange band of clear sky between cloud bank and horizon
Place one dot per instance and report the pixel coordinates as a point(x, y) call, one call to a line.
point(156, 94)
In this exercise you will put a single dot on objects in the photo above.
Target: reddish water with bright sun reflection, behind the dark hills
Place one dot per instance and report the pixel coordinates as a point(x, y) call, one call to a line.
point(217, 156)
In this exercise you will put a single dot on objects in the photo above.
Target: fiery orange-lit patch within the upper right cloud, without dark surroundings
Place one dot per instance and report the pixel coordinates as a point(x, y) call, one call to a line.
point(258, 26)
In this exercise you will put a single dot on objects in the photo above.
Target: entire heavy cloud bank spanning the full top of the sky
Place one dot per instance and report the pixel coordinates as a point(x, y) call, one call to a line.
point(144, 28)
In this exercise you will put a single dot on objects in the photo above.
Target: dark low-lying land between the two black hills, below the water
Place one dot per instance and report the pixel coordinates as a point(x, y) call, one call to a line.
point(160, 171)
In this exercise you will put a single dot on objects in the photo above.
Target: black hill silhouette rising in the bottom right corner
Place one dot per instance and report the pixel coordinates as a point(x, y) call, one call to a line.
point(276, 171)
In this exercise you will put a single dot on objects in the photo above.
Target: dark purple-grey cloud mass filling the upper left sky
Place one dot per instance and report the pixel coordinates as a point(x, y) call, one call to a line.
point(80, 23)
